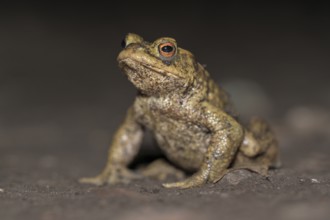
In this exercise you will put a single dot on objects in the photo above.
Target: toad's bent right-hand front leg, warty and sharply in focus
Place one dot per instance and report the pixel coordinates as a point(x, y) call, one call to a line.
point(227, 135)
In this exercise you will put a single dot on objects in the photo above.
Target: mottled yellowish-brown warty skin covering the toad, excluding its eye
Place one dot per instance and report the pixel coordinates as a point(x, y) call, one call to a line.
point(190, 117)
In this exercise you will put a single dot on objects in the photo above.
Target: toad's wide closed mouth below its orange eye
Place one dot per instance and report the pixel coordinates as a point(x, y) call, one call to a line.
point(129, 65)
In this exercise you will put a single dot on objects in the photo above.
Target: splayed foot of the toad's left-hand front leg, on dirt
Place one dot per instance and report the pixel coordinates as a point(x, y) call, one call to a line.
point(112, 176)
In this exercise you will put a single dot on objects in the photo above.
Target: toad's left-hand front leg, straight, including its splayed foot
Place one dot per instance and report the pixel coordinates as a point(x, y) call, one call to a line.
point(123, 149)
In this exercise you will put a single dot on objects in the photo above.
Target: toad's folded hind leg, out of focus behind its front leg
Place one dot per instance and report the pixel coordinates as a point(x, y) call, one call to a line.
point(259, 149)
